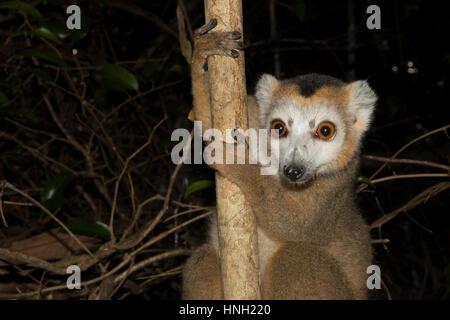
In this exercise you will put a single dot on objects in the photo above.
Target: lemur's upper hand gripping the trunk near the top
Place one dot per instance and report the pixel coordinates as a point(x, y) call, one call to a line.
point(214, 43)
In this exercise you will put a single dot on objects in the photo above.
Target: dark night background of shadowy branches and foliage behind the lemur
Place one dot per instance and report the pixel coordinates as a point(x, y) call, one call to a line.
point(68, 124)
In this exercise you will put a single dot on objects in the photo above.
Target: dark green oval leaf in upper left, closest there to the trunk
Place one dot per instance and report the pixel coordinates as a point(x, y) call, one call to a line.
point(117, 78)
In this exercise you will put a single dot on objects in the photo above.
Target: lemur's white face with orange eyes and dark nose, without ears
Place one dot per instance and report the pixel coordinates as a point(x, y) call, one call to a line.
point(310, 138)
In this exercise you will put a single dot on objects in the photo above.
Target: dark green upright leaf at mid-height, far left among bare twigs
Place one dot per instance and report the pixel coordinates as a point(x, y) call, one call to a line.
point(52, 196)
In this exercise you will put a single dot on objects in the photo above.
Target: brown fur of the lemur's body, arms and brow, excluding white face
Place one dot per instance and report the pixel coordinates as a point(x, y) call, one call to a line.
point(319, 244)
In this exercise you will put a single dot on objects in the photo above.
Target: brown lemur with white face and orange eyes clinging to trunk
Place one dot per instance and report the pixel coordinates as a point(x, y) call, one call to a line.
point(312, 241)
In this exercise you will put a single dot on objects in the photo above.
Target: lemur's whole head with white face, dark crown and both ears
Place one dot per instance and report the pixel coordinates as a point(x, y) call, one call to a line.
point(319, 121)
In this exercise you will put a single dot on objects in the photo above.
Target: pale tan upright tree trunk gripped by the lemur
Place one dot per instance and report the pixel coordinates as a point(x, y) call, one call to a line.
point(236, 222)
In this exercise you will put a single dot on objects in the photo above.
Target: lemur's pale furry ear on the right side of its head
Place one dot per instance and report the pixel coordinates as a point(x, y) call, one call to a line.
point(362, 104)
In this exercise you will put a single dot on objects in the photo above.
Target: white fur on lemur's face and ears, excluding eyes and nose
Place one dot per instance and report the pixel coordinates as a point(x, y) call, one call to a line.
point(301, 146)
